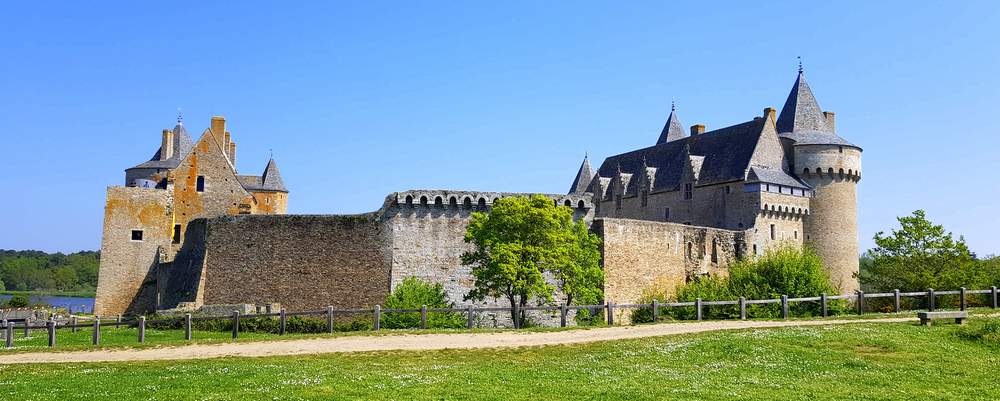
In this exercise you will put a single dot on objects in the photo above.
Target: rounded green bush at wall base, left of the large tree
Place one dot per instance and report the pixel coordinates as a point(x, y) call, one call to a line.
point(413, 293)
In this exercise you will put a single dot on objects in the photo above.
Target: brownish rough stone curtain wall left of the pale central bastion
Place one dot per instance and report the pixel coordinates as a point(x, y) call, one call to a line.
point(303, 262)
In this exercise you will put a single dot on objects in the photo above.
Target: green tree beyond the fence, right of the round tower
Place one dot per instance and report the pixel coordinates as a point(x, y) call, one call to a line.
point(918, 256)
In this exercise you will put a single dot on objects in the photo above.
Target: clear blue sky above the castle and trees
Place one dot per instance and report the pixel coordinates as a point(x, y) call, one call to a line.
point(360, 99)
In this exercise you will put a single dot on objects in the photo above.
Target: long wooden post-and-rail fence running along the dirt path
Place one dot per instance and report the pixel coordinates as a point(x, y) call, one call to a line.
point(7, 328)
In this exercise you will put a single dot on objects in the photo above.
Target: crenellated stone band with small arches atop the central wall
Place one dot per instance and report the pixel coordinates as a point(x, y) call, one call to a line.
point(476, 200)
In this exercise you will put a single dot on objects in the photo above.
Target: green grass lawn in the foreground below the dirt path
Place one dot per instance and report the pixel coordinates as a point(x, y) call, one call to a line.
point(869, 361)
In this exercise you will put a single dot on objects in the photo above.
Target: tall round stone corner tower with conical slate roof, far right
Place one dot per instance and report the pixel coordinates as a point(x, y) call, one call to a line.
point(832, 167)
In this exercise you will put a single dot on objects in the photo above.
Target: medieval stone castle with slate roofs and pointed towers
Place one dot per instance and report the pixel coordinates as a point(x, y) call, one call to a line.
point(187, 230)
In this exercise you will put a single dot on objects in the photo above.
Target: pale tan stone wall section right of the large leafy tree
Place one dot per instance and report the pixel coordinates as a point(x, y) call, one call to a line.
point(643, 255)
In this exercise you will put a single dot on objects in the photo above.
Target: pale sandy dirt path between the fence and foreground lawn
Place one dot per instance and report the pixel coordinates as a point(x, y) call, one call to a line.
point(410, 342)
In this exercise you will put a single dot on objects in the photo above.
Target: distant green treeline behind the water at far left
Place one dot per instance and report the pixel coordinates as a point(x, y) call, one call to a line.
point(41, 271)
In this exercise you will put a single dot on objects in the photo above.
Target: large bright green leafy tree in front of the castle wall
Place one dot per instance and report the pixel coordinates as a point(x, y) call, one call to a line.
point(521, 240)
